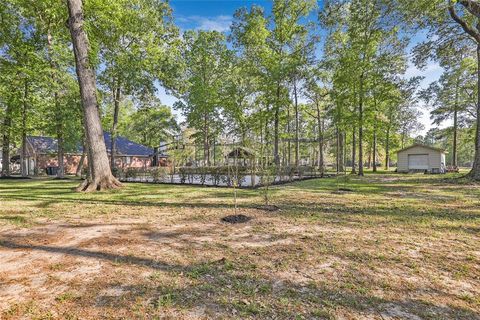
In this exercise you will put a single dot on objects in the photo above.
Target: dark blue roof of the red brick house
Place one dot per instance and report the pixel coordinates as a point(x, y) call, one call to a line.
point(125, 147)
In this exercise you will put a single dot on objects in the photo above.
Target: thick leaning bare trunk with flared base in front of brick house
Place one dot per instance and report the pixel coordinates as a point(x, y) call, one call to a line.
point(100, 176)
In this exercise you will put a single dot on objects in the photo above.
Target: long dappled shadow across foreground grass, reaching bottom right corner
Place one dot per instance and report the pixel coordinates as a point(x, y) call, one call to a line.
point(225, 288)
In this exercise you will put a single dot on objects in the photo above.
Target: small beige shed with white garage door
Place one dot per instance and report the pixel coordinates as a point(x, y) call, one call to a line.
point(421, 158)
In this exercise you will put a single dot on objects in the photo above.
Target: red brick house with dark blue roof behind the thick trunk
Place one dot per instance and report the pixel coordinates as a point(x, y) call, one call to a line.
point(42, 154)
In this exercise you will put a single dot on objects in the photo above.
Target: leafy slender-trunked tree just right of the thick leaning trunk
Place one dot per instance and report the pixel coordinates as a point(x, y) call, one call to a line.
point(133, 49)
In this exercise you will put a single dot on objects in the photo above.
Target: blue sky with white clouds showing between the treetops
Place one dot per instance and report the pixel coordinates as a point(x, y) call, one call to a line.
point(218, 15)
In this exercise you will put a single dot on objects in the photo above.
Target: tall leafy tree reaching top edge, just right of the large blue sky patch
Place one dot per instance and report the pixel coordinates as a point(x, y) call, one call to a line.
point(274, 45)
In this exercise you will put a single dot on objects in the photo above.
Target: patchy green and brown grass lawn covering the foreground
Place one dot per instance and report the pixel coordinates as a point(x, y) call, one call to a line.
point(395, 247)
